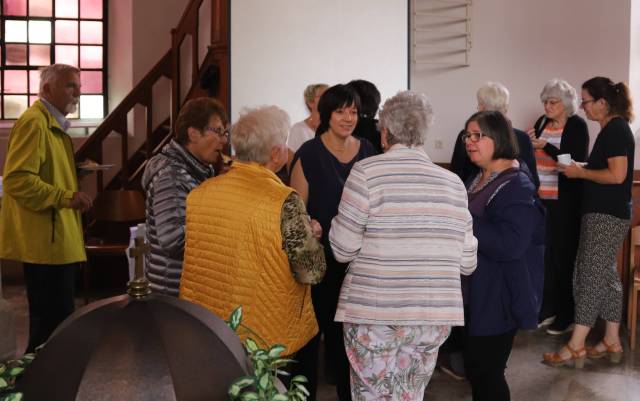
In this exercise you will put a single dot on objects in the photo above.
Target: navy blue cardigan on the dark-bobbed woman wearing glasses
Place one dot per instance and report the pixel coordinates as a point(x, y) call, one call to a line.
point(505, 291)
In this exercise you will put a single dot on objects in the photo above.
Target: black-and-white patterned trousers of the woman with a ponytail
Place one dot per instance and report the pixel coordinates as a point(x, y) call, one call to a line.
point(597, 289)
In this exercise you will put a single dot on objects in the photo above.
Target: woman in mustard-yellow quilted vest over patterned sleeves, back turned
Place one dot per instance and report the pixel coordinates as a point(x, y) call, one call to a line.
point(249, 241)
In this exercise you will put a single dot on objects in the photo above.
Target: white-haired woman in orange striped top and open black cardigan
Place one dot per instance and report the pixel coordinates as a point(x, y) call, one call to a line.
point(559, 131)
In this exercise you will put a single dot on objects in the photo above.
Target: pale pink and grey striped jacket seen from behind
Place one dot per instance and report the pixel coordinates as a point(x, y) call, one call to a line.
point(404, 225)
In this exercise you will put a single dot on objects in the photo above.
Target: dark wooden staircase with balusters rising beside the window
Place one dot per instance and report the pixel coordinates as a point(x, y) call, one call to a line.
point(199, 53)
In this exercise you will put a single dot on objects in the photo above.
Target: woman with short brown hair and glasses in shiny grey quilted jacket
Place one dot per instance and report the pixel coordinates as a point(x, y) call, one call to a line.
point(168, 178)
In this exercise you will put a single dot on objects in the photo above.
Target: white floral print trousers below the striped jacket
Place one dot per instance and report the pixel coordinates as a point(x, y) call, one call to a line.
point(392, 362)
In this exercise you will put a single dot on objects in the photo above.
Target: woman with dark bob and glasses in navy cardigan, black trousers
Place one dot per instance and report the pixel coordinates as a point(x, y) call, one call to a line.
point(503, 294)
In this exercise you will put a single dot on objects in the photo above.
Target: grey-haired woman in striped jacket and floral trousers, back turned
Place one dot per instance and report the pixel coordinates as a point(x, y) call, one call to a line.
point(404, 226)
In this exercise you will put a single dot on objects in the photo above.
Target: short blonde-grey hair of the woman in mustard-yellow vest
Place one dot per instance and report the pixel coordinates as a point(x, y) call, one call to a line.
point(258, 131)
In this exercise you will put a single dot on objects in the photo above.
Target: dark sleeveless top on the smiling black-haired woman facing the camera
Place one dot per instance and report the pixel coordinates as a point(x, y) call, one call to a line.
point(326, 176)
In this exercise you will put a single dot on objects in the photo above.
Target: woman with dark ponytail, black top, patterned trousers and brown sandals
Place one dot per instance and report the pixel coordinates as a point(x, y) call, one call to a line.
point(606, 214)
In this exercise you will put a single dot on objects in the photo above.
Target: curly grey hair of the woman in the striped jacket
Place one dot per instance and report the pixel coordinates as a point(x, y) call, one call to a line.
point(407, 116)
